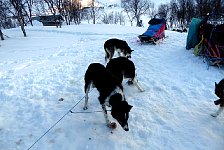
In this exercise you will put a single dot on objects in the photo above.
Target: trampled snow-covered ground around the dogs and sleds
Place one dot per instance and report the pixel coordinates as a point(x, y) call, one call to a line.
point(36, 71)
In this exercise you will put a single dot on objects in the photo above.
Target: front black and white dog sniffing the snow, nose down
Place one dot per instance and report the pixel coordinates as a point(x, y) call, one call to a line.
point(110, 94)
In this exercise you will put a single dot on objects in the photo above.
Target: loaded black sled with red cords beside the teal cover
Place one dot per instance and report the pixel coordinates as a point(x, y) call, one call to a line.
point(211, 39)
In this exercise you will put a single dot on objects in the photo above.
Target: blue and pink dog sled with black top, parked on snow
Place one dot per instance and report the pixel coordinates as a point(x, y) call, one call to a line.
point(155, 31)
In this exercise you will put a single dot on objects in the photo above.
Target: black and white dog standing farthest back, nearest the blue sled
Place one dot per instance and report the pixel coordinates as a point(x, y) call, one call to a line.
point(112, 45)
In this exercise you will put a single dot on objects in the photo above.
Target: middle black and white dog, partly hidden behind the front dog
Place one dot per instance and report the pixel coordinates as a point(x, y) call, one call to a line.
point(122, 67)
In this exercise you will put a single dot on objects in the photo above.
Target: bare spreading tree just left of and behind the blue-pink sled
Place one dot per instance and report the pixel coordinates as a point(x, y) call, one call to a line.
point(135, 9)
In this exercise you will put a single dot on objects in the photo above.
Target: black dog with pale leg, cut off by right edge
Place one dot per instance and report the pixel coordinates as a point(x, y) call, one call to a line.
point(219, 91)
